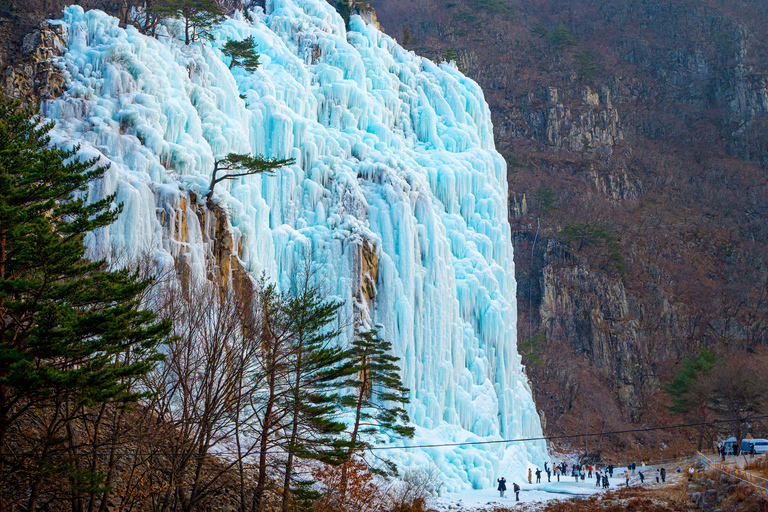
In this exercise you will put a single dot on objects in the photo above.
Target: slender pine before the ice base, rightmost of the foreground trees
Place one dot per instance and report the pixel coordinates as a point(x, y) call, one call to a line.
point(379, 392)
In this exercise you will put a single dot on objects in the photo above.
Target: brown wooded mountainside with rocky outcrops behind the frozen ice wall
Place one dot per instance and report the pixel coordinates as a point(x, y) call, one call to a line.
point(637, 143)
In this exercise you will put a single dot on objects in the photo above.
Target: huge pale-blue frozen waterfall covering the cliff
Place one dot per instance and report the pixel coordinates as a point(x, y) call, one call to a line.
point(393, 153)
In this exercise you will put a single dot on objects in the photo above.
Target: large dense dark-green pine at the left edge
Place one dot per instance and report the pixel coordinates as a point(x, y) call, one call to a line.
point(71, 332)
